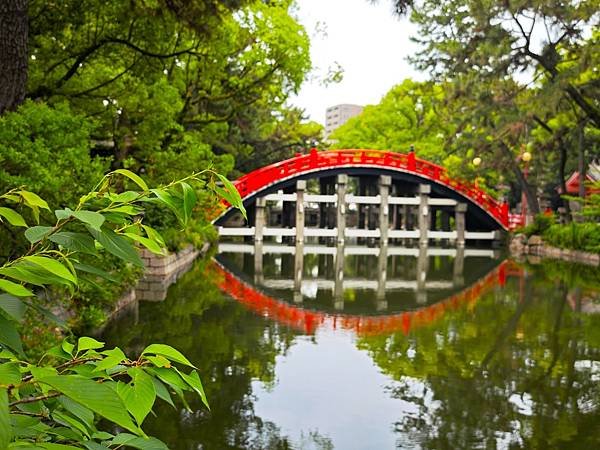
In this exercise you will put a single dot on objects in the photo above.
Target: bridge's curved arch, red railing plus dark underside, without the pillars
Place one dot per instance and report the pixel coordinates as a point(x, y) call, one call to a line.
point(489, 213)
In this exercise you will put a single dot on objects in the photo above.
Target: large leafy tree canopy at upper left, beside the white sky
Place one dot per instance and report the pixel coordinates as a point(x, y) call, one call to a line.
point(154, 75)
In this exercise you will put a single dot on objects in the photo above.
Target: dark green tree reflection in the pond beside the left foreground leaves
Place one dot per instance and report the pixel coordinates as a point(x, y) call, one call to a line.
point(231, 347)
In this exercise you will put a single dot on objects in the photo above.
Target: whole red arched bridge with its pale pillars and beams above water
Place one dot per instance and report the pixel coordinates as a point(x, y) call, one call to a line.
point(363, 194)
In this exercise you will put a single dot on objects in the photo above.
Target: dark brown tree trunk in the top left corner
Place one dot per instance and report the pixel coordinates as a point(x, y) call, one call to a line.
point(13, 53)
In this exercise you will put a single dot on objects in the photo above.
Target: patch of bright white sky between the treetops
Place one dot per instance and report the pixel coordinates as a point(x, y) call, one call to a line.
point(366, 40)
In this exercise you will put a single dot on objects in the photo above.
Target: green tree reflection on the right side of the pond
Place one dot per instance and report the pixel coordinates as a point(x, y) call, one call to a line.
point(517, 369)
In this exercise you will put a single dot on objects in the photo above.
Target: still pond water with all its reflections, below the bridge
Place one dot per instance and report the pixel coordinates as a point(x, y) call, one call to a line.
point(368, 349)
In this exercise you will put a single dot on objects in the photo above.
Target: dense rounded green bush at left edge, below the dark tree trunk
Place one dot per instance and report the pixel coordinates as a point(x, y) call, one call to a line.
point(47, 150)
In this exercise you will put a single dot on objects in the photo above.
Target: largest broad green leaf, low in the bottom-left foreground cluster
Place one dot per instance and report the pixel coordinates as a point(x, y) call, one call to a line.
point(96, 396)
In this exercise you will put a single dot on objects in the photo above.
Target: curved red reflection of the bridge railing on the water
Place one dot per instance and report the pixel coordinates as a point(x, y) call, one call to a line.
point(308, 321)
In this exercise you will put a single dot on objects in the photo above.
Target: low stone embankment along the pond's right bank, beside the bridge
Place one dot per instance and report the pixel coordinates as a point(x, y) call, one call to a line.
point(535, 246)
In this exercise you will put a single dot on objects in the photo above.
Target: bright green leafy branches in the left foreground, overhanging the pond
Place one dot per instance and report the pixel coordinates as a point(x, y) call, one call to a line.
point(56, 403)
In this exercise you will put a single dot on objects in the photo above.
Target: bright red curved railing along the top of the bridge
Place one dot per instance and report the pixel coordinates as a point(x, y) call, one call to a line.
point(259, 179)
